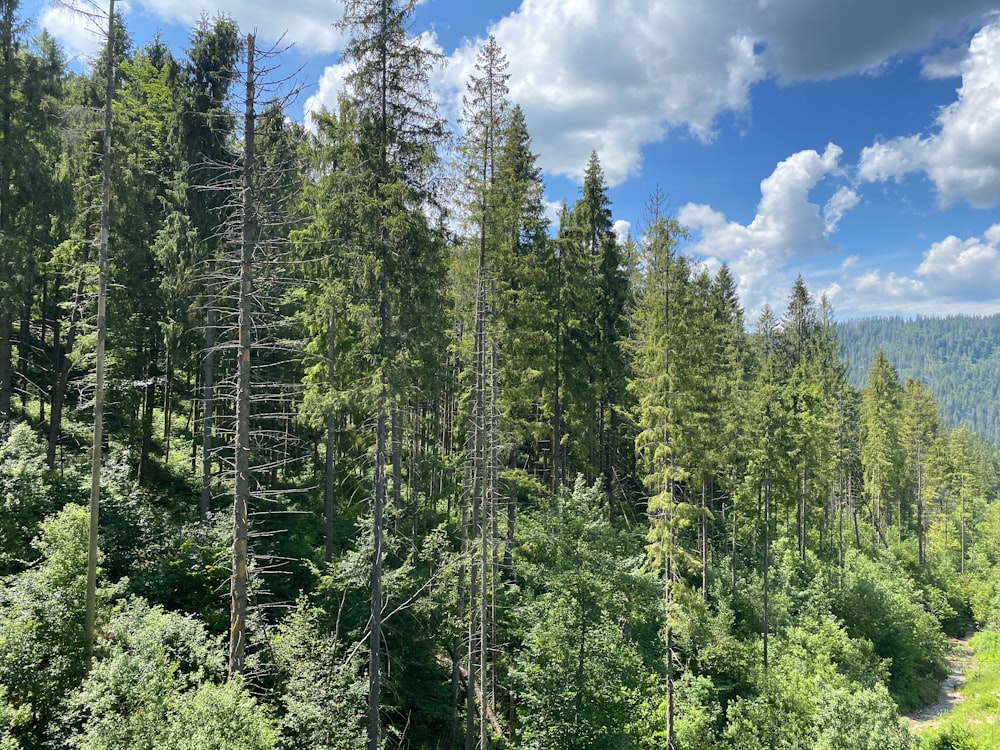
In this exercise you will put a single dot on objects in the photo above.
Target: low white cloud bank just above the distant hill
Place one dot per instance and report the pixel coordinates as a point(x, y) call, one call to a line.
point(954, 276)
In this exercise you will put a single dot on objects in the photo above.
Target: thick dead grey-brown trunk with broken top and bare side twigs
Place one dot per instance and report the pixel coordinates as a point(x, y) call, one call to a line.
point(238, 583)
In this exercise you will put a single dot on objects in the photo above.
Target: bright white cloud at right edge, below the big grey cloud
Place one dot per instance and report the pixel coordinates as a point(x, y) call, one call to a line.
point(961, 158)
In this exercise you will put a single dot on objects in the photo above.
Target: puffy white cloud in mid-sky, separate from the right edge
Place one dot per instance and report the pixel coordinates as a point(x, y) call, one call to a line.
point(787, 226)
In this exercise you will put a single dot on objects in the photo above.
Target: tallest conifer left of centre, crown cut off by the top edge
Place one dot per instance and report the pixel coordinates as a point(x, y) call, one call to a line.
point(398, 132)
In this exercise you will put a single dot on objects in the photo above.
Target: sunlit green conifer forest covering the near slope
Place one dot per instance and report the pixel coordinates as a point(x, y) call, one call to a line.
point(326, 437)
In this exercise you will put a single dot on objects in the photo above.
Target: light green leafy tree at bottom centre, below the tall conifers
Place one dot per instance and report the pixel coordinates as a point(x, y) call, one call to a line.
point(580, 672)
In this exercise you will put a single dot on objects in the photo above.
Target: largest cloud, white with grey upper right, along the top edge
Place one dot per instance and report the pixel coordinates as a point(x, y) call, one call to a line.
point(590, 79)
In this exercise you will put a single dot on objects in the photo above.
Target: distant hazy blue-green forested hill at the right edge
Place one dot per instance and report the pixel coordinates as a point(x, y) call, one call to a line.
point(958, 358)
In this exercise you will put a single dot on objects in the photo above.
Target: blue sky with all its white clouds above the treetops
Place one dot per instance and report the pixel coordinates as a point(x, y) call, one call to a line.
point(853, 142)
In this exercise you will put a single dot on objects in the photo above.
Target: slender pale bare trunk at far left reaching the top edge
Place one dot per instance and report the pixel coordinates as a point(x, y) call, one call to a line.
point(90, 618)
